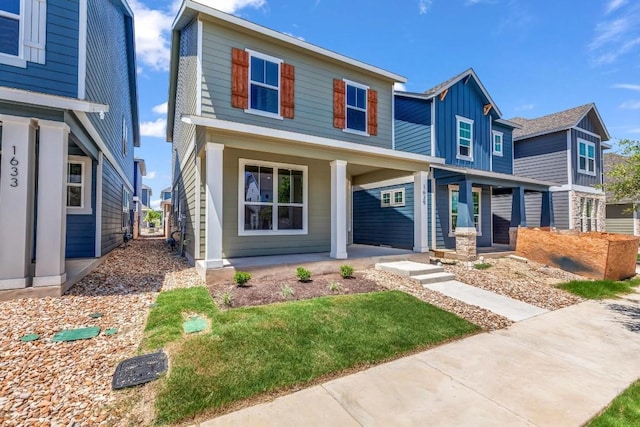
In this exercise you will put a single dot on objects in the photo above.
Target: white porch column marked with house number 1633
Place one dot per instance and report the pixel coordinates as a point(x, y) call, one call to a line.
point(16, 193)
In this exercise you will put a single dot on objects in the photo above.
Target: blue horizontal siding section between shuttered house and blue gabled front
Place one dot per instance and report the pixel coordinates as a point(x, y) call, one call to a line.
point(413, 125)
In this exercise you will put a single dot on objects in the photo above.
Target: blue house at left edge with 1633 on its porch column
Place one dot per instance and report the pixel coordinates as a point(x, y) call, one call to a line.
point(68, 126)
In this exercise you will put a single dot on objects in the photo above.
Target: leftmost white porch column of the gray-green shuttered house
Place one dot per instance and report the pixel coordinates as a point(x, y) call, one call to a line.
point(213, 228)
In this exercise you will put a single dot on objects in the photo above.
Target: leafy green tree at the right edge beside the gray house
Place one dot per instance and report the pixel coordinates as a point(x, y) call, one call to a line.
point(622, 180)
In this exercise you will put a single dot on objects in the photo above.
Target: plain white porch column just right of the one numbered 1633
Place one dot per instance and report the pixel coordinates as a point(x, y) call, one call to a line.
point(52, 204)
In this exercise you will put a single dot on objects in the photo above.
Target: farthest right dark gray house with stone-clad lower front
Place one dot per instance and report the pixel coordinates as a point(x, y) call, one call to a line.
point(566, 148)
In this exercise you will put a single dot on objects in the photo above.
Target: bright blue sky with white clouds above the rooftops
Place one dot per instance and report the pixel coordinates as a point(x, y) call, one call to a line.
point(534, 57)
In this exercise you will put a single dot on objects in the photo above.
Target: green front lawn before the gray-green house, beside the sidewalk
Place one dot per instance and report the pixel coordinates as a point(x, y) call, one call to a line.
point(257, 350)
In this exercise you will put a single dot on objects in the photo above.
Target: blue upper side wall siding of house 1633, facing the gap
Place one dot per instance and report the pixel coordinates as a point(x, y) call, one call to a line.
point(107, 80)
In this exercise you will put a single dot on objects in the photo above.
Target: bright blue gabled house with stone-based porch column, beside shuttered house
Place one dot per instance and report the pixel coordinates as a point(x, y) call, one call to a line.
point(459, 122)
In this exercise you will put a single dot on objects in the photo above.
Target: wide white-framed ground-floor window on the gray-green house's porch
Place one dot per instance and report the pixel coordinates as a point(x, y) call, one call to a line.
point(273, 198)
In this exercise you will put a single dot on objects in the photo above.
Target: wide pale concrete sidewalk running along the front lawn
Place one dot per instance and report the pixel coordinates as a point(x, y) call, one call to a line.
point(556, 369)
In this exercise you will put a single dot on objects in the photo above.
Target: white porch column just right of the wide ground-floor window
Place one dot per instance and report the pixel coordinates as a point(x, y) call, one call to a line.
point(338, 209)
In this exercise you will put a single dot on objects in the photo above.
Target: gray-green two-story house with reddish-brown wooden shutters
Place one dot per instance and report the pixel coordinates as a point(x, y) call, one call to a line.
point(270, 134)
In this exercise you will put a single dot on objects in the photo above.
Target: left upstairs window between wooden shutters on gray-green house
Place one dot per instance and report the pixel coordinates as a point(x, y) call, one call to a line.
point(264, 85)
